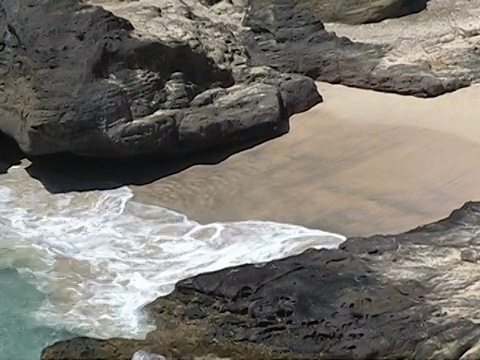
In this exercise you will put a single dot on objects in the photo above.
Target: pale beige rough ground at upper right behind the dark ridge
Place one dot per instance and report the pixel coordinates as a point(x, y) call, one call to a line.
point(444, 39)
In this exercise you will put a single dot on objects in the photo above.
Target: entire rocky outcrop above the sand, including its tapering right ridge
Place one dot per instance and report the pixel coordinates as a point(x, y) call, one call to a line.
point(120, 79)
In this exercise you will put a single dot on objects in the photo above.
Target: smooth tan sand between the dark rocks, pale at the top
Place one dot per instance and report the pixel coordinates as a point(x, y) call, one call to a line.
point(358, 164)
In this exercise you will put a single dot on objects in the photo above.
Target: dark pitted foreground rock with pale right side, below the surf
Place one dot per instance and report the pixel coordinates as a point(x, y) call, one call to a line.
point(412, 295)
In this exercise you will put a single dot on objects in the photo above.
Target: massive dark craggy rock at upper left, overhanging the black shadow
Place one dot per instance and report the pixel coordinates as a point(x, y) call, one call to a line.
point(76, 78)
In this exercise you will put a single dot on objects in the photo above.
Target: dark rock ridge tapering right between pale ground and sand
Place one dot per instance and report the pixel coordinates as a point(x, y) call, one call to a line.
point(290, 38)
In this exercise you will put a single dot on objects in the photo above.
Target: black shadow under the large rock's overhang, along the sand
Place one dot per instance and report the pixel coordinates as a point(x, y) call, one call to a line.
point(65, 173)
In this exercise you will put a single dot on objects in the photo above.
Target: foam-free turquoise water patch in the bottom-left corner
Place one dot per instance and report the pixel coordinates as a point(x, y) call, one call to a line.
point(21, 338)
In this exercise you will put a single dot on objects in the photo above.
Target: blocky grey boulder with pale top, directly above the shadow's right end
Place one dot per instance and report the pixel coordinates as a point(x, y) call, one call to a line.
point(245, 113)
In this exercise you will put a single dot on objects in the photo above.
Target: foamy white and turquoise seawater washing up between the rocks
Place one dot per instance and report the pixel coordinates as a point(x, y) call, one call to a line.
point(86, 263)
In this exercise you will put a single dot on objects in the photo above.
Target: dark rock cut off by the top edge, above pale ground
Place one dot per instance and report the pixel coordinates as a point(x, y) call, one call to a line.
point(361, 11)
